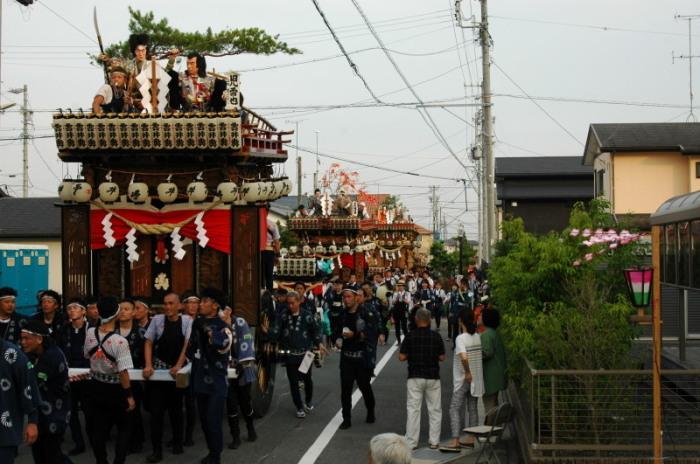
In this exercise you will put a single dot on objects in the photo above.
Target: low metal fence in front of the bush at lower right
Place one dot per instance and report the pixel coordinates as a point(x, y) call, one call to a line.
point(607, 414)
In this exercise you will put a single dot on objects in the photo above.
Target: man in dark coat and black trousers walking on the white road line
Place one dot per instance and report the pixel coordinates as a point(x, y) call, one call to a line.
point(357, 331)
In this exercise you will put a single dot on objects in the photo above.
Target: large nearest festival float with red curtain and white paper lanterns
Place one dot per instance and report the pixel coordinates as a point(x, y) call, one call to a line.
point(170, 201)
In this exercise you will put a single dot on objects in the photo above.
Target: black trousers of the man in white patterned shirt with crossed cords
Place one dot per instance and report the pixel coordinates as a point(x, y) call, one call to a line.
point(106, 408)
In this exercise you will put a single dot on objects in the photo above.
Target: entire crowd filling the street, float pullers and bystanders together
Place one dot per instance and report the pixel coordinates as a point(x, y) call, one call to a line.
point(109, 337)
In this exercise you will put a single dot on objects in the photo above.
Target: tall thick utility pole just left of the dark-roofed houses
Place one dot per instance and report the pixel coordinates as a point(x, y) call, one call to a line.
point(487, 134)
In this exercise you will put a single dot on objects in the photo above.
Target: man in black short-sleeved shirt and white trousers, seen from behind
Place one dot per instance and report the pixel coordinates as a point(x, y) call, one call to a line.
point(423, 349)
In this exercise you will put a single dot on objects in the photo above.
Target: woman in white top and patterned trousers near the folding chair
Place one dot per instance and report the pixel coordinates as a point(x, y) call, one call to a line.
point(468, 381)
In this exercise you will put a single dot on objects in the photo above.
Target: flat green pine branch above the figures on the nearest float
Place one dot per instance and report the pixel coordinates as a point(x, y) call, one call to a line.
point(165, 37)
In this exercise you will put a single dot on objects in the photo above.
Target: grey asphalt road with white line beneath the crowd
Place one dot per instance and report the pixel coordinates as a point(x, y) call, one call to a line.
point(285, 439)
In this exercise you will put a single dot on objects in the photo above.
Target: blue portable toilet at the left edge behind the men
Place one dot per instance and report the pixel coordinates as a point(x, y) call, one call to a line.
point(25, 268)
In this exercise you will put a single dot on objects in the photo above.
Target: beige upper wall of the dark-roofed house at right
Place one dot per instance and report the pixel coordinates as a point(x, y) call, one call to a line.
point(642, 181)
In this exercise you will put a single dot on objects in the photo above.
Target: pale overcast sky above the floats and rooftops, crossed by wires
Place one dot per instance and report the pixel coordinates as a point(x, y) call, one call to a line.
point(557, 67)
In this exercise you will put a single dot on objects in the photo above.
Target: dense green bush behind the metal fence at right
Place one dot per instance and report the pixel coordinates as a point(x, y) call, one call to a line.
point(558, 315)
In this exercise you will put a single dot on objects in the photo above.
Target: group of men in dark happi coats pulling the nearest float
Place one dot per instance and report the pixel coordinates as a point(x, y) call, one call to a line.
point(108, 337)
